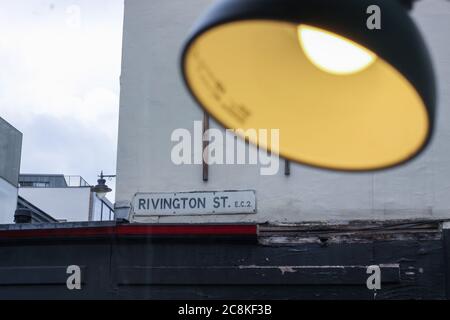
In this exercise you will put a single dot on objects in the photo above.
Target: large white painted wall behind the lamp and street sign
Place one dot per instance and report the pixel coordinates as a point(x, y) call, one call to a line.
point(154, 102)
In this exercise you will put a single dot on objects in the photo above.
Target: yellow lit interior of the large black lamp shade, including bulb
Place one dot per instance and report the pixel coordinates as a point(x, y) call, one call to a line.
point(331, 112)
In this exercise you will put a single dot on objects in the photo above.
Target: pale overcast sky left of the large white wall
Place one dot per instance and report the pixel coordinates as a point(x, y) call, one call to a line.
point(59, 83)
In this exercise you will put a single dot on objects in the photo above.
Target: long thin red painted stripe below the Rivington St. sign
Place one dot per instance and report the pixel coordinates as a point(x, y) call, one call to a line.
point(142, 230)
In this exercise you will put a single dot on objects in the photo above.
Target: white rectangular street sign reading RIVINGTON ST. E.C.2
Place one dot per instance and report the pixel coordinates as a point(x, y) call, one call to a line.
point(194, 203)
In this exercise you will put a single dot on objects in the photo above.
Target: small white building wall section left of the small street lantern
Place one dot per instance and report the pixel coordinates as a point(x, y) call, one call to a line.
point(71, 204)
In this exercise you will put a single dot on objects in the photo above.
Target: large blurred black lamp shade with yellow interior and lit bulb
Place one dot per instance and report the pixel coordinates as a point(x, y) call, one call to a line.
point(342, 96)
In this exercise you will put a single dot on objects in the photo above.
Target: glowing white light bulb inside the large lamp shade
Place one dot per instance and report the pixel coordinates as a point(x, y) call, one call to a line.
point(333, 53)
